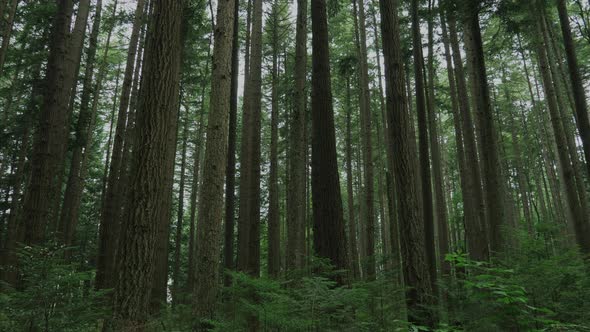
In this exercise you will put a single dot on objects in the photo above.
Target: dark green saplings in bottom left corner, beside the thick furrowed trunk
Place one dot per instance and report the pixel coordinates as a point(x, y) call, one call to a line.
point(54, 295)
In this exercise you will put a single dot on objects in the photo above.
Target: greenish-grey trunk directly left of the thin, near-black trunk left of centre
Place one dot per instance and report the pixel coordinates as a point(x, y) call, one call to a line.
point(211, 200)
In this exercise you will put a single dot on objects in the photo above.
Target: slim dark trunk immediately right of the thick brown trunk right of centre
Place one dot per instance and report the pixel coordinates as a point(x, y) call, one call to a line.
point(425, 174)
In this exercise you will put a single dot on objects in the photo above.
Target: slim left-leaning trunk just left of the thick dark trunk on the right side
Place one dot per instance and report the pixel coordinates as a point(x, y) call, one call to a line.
point(475, 221)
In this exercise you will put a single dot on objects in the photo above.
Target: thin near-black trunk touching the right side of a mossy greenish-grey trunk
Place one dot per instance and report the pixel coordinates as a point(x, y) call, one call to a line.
point(230, 174)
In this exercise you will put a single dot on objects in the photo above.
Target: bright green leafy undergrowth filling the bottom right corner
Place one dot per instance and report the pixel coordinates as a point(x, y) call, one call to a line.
point(489, 297)
